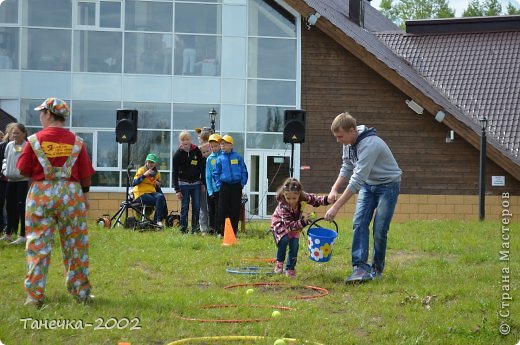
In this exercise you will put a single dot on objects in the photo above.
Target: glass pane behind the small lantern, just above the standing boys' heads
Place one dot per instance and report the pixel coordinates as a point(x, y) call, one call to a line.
point(190, 116)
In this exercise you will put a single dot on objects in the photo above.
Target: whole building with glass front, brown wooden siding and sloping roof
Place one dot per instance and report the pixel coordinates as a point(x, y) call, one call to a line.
point(250, 60)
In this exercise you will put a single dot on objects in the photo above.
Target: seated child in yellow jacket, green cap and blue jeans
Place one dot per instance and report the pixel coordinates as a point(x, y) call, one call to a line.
point(147, 186)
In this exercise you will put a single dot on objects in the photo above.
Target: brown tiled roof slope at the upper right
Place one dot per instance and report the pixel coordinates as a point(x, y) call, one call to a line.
point(479, 72)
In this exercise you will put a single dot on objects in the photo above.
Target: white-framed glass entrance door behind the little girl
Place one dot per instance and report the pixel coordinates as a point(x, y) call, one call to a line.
point(267, 171)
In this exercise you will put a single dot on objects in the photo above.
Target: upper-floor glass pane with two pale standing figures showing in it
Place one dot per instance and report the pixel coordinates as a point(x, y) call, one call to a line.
point(197, 55)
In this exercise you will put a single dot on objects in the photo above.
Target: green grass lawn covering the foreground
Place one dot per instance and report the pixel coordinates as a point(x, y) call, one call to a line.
point(442, 285)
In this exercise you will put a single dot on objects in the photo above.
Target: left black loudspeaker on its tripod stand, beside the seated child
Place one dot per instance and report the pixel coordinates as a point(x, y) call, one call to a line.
point(126, 132)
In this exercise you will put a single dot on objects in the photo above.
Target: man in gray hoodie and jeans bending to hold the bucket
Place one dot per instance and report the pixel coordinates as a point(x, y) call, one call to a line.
point(369, 169)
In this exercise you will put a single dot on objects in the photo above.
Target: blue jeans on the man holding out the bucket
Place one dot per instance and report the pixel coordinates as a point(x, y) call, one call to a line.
point(380, 199)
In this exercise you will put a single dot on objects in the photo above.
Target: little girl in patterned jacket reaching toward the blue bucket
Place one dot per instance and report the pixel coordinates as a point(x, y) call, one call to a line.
point(288, 220)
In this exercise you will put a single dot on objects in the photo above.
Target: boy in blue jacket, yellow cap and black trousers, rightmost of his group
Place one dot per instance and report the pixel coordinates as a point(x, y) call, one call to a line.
point(230, 176)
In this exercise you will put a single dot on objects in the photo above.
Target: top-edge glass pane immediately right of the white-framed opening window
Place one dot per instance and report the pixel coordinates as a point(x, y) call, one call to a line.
point(148, 16)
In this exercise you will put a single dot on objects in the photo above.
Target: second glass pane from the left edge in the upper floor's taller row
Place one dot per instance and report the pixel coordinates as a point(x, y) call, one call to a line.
point(46, 49)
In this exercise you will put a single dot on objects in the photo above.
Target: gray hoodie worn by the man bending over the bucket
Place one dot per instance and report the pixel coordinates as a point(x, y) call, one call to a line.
point(369, 161)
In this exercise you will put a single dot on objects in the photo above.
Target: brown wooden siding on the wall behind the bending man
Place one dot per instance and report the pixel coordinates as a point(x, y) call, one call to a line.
point(333, 81)
